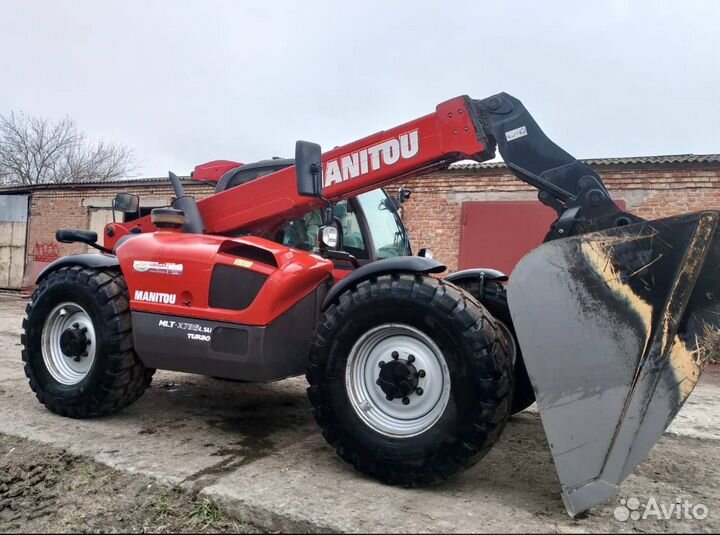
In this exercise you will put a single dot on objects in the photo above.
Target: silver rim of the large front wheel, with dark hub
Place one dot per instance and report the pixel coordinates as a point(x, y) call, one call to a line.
point(407, 415)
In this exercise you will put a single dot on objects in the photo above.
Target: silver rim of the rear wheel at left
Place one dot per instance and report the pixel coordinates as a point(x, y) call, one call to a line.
point(72, 367)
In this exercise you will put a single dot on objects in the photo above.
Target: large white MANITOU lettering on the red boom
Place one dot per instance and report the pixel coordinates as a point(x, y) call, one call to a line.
point(361, 162)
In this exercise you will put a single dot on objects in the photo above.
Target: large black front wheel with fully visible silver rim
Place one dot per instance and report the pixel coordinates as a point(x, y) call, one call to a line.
point(471, 414)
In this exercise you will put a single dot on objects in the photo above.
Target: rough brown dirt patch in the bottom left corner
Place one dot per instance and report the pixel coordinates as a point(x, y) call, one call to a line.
point(48, 490)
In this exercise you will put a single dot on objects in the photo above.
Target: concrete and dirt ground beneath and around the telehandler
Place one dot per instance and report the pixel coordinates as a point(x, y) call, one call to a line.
point(192, 443)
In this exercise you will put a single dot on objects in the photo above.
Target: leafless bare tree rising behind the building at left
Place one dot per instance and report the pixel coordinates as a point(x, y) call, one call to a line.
point(34, 150)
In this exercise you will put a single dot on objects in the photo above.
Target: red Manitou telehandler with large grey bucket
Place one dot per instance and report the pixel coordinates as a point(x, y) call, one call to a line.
point(410, 377)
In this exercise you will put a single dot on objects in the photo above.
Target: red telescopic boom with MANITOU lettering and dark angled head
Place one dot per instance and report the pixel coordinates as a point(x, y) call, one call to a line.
point(461, 128)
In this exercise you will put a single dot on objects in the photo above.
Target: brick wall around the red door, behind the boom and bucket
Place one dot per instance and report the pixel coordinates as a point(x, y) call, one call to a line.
point(432, 214)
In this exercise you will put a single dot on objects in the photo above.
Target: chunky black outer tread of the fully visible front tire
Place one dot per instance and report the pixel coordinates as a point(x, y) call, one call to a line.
point(488, 357)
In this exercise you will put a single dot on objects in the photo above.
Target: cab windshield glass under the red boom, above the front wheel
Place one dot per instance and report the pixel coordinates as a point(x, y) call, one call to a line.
point(386, 230)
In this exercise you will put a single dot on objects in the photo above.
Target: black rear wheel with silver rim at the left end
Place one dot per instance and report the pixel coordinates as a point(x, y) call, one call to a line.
point(111, 376)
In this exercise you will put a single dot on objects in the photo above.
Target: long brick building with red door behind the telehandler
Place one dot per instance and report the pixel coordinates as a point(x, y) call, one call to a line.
point(468, 215)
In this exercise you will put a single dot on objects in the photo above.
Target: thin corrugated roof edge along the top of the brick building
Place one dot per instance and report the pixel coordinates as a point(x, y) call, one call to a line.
point(667, 160)
